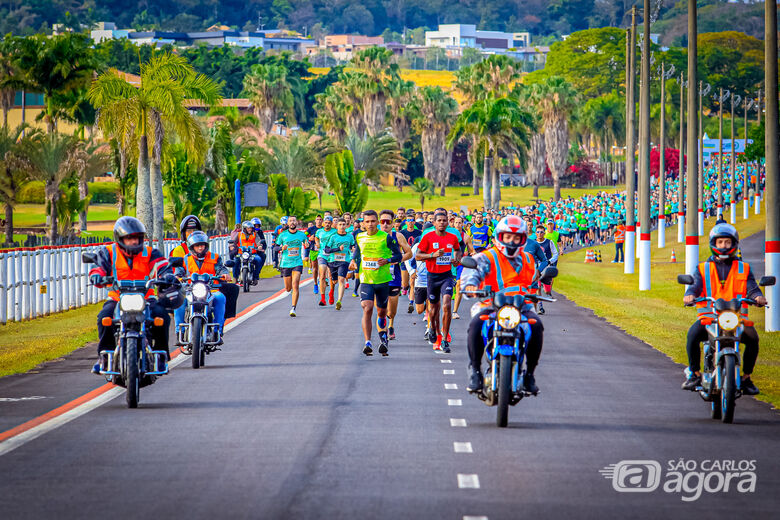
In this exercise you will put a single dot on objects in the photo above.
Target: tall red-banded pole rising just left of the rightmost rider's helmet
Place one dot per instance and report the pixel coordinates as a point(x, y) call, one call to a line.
point(691, 225)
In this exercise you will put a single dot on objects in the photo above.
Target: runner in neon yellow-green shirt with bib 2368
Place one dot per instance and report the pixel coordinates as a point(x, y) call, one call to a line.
point(374, 252)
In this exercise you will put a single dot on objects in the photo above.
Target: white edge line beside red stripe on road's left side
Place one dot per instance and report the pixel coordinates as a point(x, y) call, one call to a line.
point(52, 424)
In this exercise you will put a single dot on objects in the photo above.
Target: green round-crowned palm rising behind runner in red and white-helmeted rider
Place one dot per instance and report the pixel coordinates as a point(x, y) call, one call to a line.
point(498, 125)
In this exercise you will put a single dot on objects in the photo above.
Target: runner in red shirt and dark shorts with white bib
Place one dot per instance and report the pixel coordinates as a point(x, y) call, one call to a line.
point(440, 250)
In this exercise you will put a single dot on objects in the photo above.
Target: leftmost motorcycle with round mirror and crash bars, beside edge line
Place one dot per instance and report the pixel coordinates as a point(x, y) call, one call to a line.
point(133, 364)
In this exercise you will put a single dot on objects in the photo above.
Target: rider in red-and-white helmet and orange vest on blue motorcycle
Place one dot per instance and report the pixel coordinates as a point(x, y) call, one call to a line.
point(505, 264)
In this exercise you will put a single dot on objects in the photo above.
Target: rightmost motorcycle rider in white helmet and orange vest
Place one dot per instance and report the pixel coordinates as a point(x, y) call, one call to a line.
point(722, 275)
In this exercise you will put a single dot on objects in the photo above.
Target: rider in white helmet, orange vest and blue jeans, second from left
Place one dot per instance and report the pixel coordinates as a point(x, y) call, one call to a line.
point(202, 261)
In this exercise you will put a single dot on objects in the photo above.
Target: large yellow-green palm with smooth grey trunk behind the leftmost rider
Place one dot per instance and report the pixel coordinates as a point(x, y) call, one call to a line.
point(149, 110)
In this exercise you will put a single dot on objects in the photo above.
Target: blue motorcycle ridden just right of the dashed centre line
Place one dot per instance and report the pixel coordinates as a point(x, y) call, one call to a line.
point(505, 350)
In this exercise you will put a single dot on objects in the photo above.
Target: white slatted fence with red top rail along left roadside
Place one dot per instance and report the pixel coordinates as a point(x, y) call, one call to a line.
point(38, 281)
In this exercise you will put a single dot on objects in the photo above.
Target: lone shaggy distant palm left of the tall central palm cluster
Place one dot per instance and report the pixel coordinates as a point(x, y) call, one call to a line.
point(267, 88)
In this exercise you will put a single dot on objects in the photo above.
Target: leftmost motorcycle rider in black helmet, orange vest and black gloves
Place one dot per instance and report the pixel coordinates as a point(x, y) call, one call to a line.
point(129, 259)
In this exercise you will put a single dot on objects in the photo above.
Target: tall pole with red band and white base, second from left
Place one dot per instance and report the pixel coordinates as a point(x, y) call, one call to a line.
point(644, 155)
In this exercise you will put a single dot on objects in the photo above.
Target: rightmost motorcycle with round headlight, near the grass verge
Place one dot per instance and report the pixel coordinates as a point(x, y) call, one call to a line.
point(721, 380)
